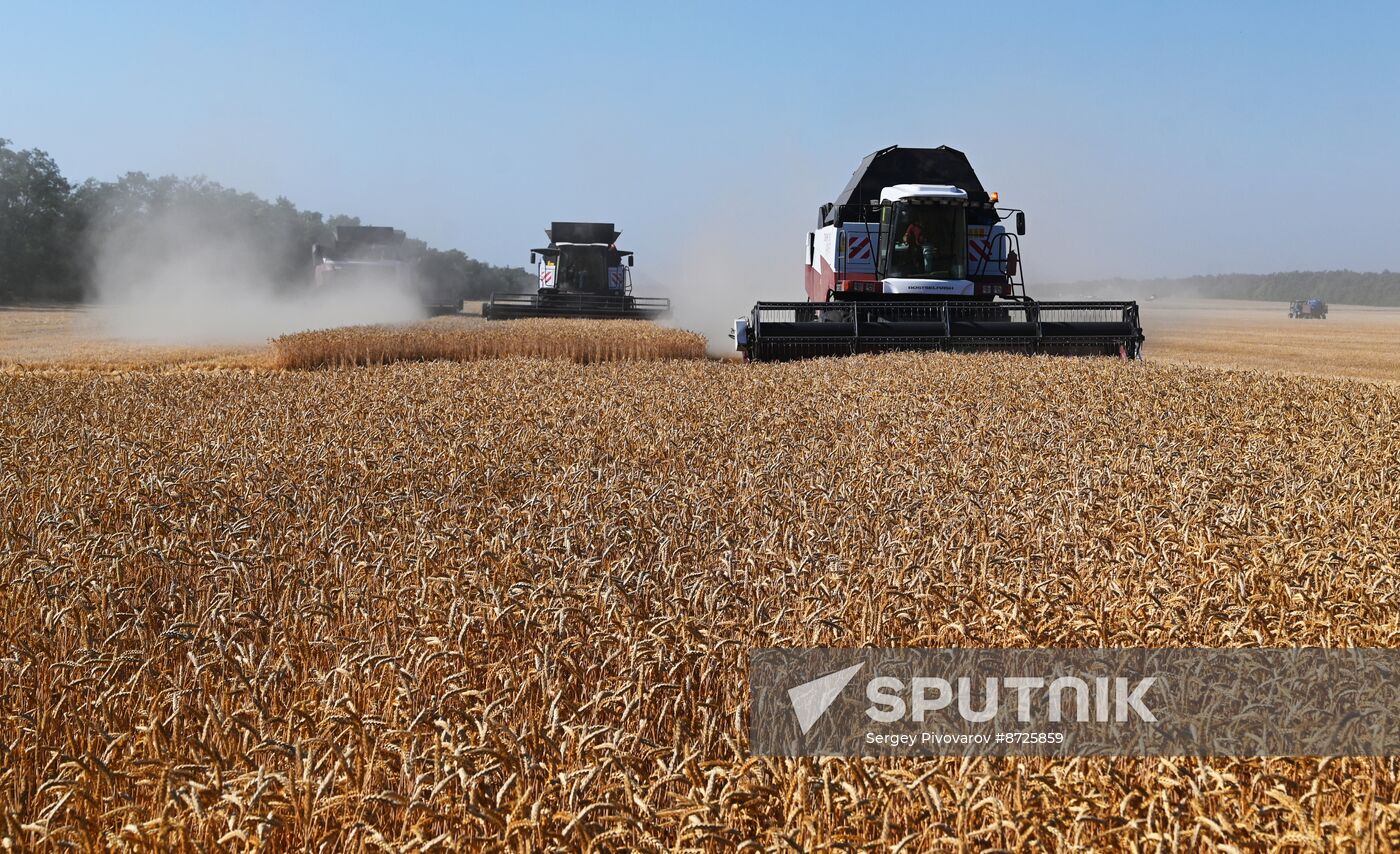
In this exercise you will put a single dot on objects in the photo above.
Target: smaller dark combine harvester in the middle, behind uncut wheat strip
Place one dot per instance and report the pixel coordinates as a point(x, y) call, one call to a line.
point(582, 274)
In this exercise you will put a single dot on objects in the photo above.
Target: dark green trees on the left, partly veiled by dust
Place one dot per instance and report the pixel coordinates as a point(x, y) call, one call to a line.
point(51, 229)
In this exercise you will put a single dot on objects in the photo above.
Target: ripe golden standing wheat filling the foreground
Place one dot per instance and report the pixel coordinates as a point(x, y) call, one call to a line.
point(509, 604)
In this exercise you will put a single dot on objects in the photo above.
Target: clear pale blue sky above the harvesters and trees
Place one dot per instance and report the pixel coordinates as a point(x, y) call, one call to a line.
point(1142, 139)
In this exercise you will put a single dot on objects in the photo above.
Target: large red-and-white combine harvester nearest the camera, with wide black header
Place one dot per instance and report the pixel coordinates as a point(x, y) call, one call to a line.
point(915, 255)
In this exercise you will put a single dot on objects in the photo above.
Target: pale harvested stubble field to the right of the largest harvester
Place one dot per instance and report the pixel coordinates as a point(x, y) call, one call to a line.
point(1356, 341)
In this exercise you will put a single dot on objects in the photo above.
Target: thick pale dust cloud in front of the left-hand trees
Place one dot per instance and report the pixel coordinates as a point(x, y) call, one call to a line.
point(183, 278)
